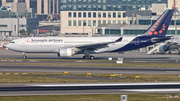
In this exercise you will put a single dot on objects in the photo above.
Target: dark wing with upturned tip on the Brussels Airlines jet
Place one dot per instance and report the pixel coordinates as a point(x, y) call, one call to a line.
point(95, 46)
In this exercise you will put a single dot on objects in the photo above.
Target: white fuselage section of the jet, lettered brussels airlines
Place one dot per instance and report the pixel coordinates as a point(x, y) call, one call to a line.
point(53, 44)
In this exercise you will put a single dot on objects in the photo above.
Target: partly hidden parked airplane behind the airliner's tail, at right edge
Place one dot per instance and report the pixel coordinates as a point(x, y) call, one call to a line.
point(168, 46)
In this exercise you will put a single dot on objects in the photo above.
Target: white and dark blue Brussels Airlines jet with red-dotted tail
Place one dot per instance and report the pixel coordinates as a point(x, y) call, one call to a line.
point(69, 46)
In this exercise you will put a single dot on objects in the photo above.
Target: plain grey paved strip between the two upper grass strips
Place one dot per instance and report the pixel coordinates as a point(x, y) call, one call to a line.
point(88, 69)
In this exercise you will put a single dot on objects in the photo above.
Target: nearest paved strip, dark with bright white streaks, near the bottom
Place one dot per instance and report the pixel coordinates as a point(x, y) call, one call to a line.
point(92, 88)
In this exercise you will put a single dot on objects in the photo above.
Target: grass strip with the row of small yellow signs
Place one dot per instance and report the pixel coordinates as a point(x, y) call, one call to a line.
point(12, 77)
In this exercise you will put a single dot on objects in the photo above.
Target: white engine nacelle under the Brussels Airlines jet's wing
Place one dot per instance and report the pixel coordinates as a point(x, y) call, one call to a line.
point(66, 52)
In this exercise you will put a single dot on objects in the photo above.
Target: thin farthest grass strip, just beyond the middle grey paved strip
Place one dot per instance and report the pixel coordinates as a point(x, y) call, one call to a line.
point(157, 65)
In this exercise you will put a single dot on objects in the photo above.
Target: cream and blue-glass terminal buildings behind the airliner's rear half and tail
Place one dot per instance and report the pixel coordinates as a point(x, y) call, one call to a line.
point(120, 17)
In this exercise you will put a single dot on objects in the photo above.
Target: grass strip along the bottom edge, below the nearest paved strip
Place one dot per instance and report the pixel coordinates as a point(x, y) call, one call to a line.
point(92, 97)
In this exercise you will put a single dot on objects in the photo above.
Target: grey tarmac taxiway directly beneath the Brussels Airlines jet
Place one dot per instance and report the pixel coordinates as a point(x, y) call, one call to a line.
point(127, 56)
